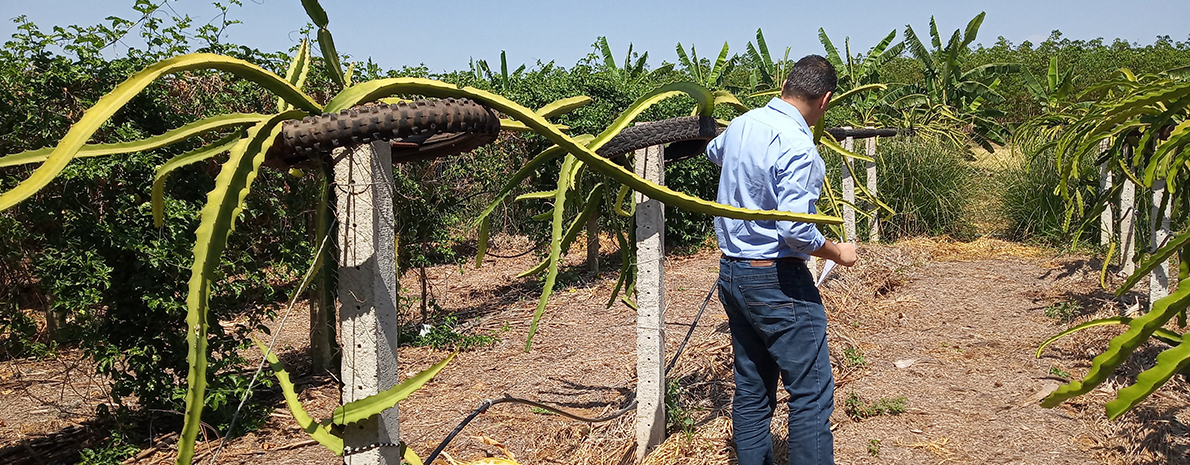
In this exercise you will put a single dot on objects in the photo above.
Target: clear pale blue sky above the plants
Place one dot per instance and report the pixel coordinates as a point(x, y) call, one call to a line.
point(446, 35)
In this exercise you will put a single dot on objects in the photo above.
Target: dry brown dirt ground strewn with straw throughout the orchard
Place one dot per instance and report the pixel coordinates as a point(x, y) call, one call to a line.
point(951, 329)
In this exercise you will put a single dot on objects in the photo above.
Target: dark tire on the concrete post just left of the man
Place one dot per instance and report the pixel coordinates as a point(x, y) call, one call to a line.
point(687, 137)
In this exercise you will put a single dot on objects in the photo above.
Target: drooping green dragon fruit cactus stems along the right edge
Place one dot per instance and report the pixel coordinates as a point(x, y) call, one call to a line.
point(1147, 123)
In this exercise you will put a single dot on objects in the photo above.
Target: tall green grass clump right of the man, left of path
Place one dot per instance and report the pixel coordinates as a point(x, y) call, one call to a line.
point(926, 184)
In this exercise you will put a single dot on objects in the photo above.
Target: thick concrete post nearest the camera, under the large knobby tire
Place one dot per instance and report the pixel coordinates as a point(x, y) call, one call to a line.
point(364, 184)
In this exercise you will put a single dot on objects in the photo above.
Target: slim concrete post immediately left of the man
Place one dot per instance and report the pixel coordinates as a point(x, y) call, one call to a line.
point(650, 165)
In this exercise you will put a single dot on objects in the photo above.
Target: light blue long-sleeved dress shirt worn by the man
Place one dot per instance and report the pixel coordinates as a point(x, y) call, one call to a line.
point(769, 162)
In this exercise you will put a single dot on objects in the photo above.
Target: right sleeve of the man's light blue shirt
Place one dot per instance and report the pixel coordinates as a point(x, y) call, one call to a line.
point(794, 174)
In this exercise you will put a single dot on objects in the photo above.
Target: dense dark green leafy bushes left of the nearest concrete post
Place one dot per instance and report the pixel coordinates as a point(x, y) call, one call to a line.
point(101, 263)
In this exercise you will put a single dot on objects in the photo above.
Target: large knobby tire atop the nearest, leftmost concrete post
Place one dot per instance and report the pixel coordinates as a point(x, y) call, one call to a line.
point(418, 130)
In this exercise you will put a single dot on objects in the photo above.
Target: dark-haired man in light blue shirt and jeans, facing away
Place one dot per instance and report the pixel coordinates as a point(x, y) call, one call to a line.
point(774, 310)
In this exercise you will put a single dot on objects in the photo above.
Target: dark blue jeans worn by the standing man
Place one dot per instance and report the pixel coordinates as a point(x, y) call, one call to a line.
point(779, 328)
